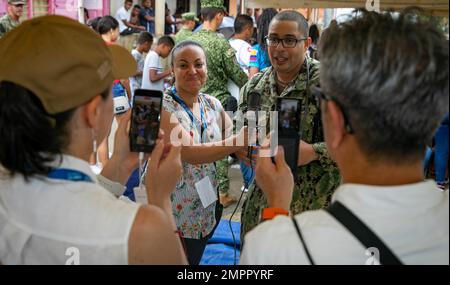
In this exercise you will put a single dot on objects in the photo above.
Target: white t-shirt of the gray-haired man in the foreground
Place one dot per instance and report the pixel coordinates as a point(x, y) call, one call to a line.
point(412, 220)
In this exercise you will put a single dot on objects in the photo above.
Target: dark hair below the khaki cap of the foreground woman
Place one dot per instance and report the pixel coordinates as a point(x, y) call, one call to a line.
point(31, 138)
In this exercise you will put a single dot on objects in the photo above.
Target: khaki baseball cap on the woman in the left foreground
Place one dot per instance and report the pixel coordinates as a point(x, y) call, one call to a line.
point(61, 61)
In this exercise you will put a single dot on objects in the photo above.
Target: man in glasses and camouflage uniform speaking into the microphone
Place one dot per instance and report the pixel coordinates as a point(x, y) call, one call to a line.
point(288, 77)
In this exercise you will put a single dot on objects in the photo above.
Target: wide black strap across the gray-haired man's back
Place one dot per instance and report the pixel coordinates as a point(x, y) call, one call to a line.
point(365, 235)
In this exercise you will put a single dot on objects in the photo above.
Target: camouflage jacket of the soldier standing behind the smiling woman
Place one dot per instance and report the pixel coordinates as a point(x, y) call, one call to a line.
point(222, 64)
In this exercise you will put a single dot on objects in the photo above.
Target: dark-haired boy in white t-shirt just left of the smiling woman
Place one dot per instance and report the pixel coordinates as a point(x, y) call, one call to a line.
point(153, 74)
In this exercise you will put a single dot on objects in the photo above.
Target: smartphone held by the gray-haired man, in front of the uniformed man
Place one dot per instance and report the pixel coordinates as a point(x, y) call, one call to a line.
point(289, 111)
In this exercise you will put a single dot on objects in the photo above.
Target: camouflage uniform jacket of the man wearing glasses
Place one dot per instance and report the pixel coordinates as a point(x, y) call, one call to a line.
point(317, 180)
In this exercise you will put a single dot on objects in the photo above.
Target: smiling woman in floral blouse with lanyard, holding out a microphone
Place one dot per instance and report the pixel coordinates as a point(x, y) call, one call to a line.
point(197, 121)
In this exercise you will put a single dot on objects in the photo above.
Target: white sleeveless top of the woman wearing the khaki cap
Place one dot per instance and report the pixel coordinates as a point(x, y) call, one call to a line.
point(50, 221)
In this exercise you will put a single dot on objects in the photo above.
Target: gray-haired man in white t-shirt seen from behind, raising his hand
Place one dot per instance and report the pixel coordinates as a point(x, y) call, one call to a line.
point(384, 90)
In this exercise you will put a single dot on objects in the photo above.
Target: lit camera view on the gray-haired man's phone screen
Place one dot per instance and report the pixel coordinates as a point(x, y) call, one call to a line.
point(288, 116)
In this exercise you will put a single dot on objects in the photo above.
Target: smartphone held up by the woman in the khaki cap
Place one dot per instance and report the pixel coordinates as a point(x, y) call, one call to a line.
point(145, 120)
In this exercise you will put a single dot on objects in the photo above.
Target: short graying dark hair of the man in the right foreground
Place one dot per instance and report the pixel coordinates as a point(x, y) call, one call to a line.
point(391, 76)
